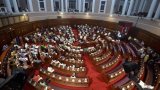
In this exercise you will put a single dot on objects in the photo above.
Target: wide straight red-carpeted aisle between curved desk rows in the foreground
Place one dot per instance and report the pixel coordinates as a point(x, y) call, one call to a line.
point(94, 75)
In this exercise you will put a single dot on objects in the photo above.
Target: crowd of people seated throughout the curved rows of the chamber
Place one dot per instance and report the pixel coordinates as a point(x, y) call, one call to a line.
point(52, 48)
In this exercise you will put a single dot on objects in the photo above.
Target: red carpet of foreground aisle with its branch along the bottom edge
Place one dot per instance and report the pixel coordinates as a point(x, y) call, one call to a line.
point(96, 79)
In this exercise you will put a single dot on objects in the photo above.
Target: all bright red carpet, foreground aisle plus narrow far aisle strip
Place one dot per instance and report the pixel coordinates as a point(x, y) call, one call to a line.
point(97, 82)
